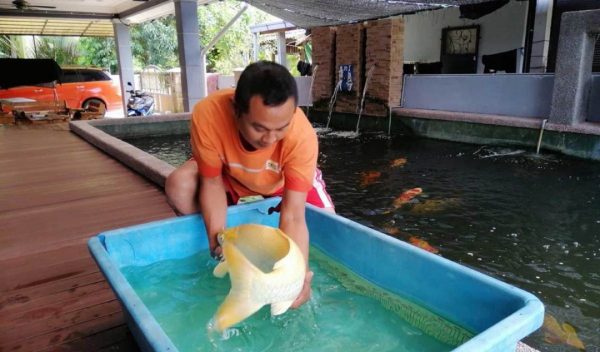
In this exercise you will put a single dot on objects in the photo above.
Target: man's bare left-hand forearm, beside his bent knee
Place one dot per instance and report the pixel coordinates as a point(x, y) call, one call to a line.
point(213, 206)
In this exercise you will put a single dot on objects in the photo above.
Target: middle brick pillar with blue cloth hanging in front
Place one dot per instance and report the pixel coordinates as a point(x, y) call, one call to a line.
point(348, 50)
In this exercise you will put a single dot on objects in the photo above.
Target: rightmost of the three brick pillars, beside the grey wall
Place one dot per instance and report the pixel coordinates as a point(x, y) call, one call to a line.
point(385, 51)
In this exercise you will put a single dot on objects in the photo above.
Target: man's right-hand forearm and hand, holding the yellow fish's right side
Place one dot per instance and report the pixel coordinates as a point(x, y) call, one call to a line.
point(293, 223)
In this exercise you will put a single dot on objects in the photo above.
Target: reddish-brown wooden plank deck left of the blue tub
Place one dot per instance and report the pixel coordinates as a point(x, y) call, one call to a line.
point(56, 191)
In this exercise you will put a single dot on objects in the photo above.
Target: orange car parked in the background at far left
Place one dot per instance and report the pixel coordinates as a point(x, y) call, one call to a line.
point(79, 87)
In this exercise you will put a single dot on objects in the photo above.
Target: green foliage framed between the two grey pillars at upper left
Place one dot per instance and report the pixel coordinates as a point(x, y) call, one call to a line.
point(155, 43)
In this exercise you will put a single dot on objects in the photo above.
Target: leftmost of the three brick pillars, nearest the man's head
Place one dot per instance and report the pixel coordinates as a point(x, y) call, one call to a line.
point(323, 40)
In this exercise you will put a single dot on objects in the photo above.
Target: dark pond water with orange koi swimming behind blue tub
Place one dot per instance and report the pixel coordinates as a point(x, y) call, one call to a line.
point(530, 220)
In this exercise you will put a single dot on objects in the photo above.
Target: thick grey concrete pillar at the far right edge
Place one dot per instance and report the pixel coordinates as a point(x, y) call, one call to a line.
point(573, 75)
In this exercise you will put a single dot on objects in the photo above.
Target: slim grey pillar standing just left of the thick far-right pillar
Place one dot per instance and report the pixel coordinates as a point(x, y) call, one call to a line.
point(541, 36)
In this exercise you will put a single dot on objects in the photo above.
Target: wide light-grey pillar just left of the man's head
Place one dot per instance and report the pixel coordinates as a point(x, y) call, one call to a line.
point(190, 58)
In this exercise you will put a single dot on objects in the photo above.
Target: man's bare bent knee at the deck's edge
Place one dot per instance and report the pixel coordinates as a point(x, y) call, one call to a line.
point(181, 188)
